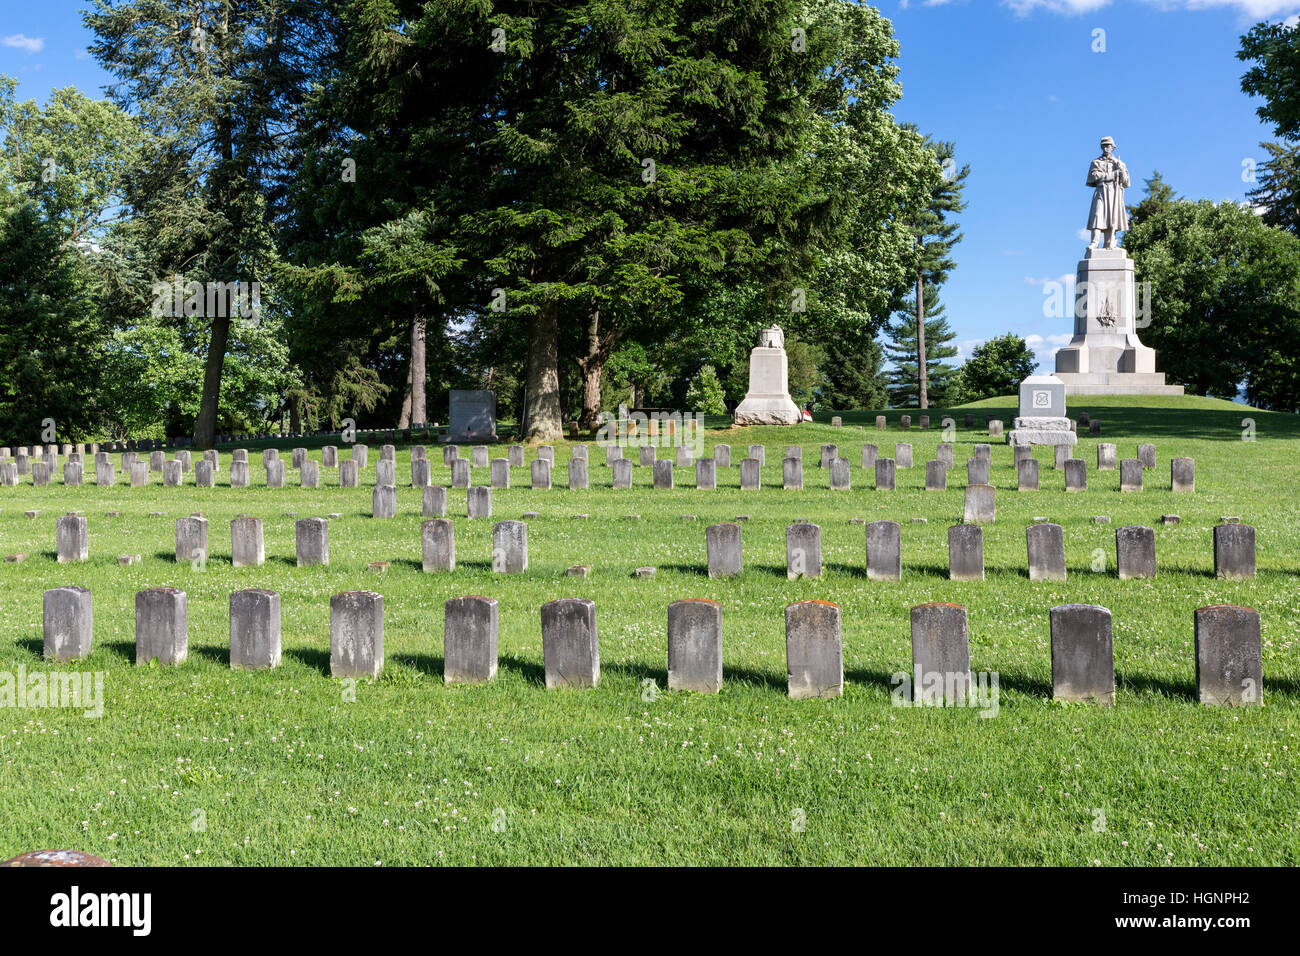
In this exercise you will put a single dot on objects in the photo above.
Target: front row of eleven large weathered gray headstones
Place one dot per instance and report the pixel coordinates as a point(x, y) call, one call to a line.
point(1228, 643)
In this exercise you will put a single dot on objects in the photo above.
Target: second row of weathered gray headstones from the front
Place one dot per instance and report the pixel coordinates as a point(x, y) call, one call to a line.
point(1136, 547)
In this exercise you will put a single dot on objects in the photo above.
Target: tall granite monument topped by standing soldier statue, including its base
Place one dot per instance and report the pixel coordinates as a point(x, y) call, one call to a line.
point(1106, 356)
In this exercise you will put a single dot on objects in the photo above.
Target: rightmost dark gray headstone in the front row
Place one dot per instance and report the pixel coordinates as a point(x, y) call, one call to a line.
point(1229, 656)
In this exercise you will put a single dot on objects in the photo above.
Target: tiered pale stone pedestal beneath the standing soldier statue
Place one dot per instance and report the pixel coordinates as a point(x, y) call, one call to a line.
point(1106, 354)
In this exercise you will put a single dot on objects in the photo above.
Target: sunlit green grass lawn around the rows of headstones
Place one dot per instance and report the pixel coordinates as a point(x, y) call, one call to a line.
point(202, 765)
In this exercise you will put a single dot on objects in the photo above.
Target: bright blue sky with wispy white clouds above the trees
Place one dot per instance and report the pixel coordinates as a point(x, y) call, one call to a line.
point(1015, 84)
